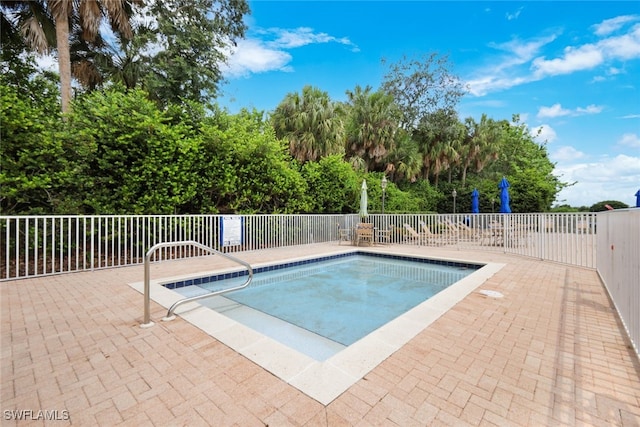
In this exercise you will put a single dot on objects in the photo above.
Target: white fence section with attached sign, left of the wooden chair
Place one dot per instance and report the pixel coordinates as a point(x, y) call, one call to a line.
point(42, 245)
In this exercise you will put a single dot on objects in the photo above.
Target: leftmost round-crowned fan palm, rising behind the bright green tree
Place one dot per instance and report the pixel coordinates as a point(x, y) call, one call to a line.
point(310, 124)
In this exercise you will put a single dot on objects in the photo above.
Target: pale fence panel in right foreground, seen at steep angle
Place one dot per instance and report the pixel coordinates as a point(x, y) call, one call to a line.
point(619, 265)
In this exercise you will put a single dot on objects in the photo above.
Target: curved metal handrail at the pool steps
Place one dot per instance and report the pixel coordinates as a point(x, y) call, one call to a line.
point(170, 316)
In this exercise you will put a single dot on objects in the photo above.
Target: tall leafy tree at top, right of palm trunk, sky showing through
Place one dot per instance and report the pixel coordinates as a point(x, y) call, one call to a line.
point(186, 44)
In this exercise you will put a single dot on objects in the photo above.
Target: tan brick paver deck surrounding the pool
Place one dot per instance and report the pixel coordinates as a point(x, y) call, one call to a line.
point(550, 352)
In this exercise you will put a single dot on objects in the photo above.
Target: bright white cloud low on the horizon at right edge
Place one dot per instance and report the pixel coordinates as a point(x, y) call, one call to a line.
point(607, 178)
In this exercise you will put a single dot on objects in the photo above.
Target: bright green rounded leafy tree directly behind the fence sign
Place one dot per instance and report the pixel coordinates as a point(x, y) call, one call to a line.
point(246, 169)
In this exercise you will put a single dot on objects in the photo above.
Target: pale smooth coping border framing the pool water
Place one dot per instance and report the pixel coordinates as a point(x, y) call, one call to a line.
point(321, 380)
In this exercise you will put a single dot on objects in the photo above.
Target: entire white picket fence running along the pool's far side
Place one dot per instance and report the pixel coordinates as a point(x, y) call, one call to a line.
point(42, 245)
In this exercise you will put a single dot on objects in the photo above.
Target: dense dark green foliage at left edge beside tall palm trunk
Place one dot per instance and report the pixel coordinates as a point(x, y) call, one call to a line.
point(36, 172)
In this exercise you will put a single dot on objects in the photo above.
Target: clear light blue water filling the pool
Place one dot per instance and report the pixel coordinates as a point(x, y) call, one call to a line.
point(338, 300)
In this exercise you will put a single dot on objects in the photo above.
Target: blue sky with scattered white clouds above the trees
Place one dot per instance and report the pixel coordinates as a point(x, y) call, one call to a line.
point(569, 68)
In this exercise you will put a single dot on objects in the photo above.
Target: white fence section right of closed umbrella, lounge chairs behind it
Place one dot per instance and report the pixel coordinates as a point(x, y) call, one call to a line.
point(568, 238)
